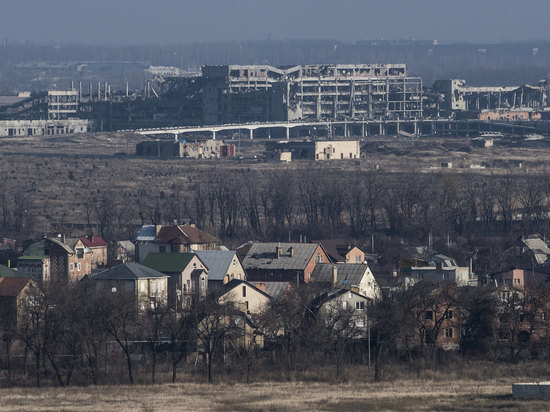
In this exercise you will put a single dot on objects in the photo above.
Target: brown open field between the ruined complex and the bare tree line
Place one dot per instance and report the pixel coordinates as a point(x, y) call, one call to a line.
point(57, 176)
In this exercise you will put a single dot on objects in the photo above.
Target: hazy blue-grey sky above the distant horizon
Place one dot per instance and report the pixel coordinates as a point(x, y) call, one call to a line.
point(178, 21)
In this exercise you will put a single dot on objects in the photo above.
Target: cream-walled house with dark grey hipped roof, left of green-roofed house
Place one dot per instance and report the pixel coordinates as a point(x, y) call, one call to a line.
point(147, 287)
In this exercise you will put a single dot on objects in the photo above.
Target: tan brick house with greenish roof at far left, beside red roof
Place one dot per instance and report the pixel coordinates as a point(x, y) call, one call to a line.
point(70, 259)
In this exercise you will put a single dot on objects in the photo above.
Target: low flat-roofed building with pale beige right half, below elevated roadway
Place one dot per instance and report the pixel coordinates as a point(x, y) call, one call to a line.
point(313, 150)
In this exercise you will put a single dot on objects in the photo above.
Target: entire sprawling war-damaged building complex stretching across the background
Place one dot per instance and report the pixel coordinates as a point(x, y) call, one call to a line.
point(380, 98)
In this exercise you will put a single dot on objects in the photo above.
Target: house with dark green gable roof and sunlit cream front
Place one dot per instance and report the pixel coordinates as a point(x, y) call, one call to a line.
point(188, 276)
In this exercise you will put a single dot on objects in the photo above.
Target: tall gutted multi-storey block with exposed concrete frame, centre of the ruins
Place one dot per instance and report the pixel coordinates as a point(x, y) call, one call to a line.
point(238, 94)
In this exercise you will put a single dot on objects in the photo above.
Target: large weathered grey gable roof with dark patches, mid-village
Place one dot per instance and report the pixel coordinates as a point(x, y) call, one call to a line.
point(264, 256)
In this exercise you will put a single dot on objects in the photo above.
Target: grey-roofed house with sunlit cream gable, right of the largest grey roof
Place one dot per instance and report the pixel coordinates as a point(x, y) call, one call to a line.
point(353, 276)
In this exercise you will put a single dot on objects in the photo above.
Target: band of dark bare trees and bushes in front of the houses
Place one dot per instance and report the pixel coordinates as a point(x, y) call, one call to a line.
point(78, 336)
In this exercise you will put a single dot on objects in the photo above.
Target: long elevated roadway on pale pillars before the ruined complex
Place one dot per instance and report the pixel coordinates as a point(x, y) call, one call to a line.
point(364, 128)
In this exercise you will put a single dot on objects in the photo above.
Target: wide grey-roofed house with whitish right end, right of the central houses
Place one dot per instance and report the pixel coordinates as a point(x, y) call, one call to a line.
point(437, 268)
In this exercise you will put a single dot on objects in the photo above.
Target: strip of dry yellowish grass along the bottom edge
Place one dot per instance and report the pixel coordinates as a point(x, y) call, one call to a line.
point(463, 395)
